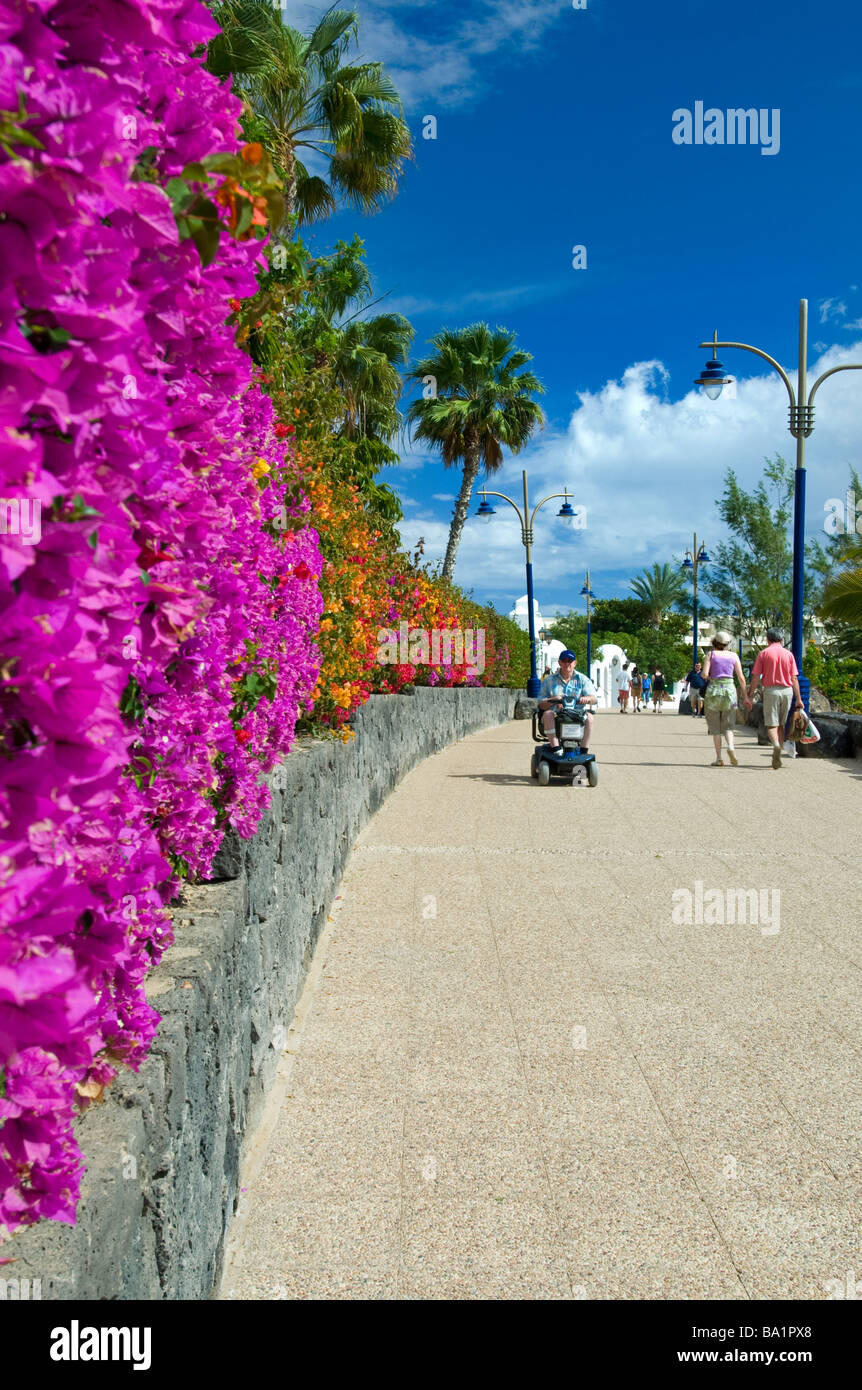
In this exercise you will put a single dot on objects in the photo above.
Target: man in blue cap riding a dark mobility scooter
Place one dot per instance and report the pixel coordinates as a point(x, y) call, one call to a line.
point(568, 726)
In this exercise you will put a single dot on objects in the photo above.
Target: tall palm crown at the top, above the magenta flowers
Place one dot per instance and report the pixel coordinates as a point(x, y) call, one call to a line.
point(304, 97)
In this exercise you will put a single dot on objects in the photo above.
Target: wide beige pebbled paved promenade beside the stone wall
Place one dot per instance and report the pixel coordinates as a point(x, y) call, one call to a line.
point(515, 1075)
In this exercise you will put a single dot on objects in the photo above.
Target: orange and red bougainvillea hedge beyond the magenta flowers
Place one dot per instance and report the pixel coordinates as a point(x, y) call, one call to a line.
point(386, 622)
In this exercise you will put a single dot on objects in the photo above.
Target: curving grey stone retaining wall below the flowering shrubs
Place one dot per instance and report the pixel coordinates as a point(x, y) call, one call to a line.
point(163, 1150)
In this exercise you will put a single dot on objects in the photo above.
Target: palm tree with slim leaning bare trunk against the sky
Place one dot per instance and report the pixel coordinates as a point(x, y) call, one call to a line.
point(480, 404)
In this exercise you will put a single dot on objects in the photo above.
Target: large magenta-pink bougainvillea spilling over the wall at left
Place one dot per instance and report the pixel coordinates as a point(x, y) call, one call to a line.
point(158, 636)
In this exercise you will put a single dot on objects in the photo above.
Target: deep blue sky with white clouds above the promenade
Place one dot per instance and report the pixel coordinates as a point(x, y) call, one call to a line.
point(554, 130)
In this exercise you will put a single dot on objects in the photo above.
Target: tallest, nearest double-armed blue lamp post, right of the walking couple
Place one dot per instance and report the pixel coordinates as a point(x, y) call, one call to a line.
point(802, 425)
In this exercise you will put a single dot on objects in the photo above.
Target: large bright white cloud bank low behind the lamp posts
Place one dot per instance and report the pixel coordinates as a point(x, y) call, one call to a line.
point(650, 472)
